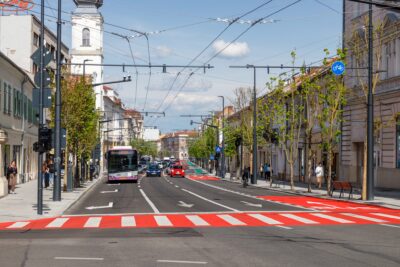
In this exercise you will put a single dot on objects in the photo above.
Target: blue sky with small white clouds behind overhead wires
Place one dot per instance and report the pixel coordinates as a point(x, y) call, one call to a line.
point(308, 27)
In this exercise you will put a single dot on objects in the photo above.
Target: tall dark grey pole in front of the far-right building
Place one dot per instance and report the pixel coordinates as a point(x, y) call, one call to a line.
point(370, 112)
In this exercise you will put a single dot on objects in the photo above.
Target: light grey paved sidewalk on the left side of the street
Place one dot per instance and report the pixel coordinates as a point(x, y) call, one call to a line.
point(22, 205)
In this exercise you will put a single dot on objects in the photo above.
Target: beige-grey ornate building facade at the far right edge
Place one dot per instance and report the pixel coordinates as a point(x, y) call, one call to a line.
point(386, 98)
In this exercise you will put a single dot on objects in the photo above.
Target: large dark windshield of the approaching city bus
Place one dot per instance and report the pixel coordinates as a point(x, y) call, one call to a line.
point(122, 161)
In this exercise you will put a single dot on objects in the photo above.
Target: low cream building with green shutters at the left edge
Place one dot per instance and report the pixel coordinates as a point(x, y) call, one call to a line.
point(18, 123)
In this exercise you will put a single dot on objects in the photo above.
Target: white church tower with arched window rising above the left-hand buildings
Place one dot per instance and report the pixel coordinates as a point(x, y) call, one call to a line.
point(87, 43)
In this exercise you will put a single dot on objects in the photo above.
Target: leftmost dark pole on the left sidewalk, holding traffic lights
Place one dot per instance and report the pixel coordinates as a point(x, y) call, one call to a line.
point(40, 157)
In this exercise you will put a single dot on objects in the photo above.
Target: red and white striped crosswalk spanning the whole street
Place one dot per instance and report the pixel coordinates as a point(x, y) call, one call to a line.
point(250, 219)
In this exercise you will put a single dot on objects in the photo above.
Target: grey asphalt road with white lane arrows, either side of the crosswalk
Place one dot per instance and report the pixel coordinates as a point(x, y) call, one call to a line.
point(312, 245)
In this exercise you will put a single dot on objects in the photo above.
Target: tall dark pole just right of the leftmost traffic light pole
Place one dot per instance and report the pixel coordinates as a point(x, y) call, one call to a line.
point(57, 160)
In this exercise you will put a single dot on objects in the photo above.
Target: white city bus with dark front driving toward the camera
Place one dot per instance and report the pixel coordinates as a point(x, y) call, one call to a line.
point(122, 164)
